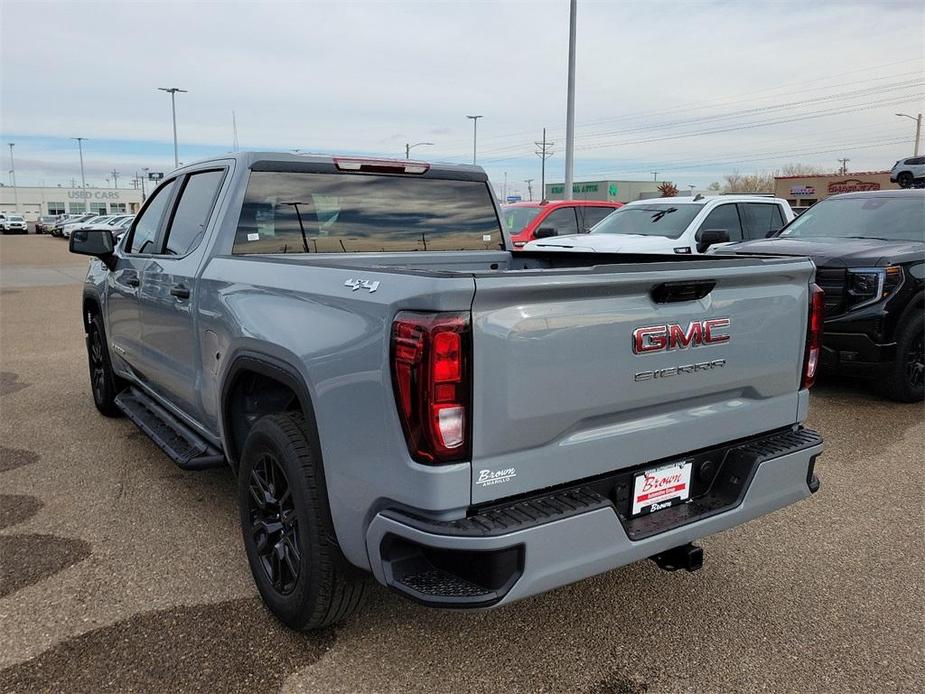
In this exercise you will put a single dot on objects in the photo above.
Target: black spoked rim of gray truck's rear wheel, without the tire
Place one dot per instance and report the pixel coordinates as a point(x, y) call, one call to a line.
point(274, 524)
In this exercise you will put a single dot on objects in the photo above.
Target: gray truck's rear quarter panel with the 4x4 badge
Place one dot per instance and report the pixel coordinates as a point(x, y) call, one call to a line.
point(337, 340)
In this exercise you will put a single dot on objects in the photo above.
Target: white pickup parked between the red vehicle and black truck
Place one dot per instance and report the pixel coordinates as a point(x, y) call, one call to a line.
point(678, 225)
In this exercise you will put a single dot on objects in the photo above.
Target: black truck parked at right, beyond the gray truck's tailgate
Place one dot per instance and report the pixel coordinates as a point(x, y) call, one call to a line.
point(869, 250)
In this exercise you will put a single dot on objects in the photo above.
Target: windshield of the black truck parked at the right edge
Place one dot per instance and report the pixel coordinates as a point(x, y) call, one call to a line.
point(887, 218)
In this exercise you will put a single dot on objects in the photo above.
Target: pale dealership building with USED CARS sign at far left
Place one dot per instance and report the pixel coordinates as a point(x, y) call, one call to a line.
point(33, 203)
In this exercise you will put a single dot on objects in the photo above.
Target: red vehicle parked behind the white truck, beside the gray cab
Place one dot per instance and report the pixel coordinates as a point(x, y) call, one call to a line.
point(526, 221)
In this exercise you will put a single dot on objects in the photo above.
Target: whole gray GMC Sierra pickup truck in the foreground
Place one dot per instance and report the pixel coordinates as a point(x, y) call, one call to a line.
point(400, 394)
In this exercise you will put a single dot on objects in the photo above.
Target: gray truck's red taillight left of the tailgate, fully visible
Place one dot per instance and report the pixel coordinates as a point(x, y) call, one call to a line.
point(430, 374)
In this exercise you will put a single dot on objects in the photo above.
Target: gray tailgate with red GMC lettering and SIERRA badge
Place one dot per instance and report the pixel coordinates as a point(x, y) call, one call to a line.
point(560, 394)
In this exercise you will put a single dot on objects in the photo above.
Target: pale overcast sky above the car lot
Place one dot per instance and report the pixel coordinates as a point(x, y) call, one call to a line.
point(692, 90)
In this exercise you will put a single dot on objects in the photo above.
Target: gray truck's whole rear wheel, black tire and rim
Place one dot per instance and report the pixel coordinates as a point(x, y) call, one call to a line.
point(300, 572)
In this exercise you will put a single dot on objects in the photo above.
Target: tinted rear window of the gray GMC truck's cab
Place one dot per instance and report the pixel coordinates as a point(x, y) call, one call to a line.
point(295, 212)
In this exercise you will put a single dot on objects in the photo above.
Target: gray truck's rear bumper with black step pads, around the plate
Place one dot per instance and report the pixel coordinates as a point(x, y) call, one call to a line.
point(539, 543)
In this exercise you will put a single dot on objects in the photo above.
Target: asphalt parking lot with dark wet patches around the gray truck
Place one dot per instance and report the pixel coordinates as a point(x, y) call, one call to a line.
point(120, 572)
